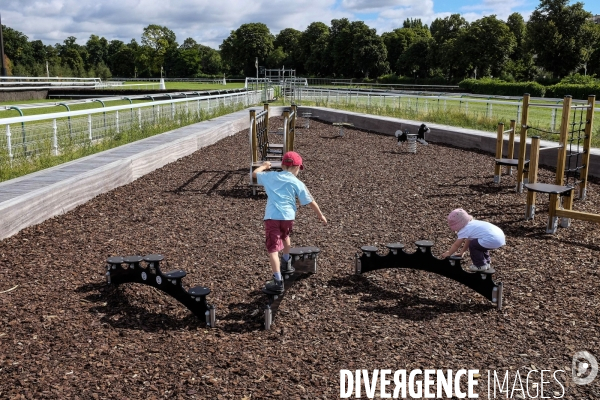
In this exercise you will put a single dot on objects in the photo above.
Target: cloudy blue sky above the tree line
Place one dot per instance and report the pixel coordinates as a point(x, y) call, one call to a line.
point(209, 22)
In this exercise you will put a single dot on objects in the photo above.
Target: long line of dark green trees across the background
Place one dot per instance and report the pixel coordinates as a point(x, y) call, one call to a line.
point(558, 40)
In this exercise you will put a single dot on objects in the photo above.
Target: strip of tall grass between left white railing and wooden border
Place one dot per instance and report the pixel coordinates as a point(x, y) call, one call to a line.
point(44, 156)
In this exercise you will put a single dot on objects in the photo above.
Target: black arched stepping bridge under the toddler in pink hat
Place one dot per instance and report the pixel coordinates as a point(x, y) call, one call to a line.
point(423, 259)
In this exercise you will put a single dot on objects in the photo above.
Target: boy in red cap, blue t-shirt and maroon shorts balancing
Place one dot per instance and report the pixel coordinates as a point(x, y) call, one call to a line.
point(282, 190)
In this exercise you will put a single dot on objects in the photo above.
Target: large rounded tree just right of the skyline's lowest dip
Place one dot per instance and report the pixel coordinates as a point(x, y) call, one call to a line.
point(244, 45)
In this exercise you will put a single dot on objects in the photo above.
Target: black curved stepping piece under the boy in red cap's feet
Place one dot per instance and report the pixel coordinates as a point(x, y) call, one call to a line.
point(304, 262)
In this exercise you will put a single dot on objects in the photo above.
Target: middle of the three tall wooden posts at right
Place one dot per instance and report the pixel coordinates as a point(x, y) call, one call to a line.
point(560, 167)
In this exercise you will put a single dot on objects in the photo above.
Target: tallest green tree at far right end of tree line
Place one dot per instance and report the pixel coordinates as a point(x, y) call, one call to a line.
point(557, 35)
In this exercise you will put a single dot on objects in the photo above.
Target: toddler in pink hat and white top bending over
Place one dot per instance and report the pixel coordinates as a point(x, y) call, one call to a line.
point(478, 236)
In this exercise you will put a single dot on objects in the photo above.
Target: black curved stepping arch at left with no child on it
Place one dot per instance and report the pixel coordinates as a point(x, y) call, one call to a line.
point(168, 282)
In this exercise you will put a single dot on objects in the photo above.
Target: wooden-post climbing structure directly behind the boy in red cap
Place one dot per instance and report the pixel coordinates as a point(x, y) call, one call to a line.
point(260, 148)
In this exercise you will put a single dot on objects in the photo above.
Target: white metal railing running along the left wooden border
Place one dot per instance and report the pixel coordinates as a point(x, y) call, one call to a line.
point(28, 135)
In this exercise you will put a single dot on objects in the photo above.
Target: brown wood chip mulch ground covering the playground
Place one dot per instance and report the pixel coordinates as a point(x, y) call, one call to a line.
point(64, 334)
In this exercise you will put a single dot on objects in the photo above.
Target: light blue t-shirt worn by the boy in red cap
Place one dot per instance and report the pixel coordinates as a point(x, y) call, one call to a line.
point(282, 189)
